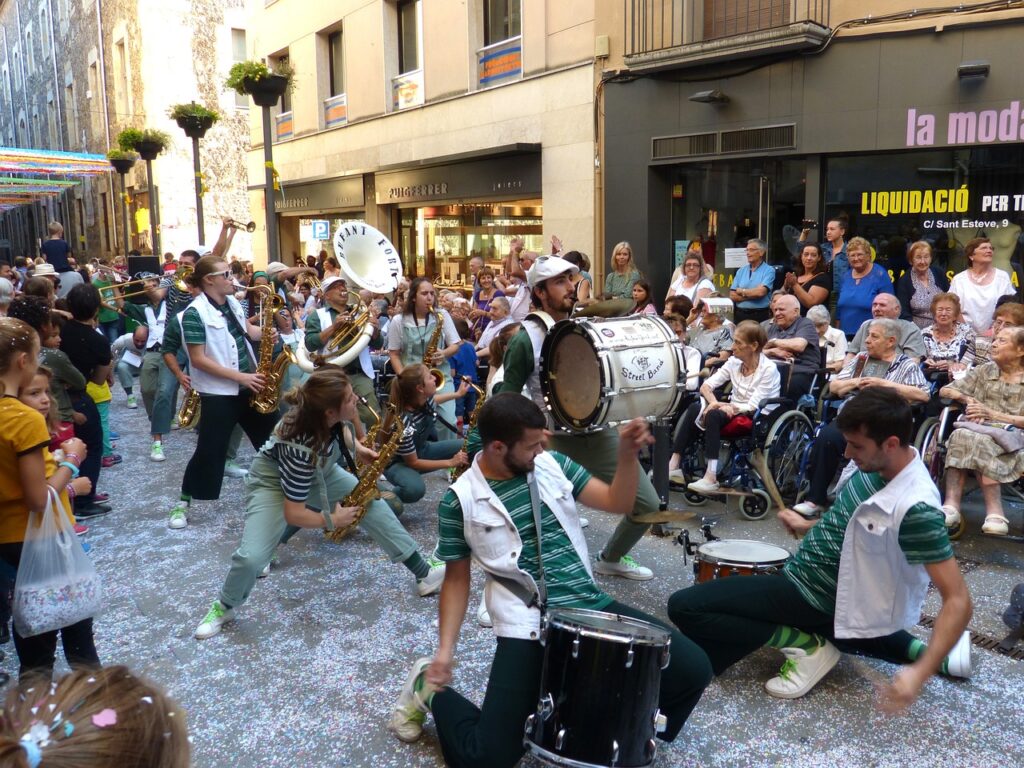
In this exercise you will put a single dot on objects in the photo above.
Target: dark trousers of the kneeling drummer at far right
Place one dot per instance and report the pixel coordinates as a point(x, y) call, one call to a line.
point(732, 618)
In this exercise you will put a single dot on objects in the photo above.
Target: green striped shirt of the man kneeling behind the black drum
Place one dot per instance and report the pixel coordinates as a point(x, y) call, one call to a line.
point(565, 574)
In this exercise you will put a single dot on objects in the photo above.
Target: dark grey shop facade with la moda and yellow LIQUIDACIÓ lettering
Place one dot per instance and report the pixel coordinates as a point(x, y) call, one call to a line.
point(724, 123)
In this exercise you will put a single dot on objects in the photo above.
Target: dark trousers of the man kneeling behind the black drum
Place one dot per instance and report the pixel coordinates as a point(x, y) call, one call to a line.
point(492, 737)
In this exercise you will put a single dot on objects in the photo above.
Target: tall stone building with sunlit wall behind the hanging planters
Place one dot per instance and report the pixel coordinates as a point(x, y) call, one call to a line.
point(75, 73)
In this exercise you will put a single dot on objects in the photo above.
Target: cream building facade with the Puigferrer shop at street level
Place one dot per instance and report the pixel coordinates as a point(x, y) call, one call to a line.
point(450, 126)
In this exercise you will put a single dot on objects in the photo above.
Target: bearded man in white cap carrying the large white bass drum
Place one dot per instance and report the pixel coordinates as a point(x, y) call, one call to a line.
point(550, 281)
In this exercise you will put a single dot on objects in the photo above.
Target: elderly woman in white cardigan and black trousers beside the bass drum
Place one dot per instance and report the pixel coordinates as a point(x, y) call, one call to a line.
point(754, 378)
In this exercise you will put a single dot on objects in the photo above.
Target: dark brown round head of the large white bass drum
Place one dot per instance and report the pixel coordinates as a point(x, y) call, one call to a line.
point(574, 375)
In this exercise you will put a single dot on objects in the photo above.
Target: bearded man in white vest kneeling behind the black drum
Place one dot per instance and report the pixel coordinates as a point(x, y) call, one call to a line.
point(491, 515)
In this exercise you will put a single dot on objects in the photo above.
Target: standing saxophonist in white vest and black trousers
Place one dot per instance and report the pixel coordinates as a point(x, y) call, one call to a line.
point(224, 370)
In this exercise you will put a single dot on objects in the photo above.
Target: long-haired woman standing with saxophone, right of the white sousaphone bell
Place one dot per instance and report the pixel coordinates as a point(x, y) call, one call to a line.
point(409, 336)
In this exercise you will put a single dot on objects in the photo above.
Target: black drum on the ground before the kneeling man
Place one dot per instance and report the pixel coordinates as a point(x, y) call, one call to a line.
point(600, 689)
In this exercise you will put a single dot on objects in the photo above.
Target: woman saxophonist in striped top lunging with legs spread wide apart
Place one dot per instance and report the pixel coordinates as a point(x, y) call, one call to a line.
point(297, 472)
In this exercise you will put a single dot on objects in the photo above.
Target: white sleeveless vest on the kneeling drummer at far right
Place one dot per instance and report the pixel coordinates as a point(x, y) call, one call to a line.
point(879, 591)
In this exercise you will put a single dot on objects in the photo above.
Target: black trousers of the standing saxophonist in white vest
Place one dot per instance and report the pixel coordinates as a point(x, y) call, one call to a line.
point(219, 415)
